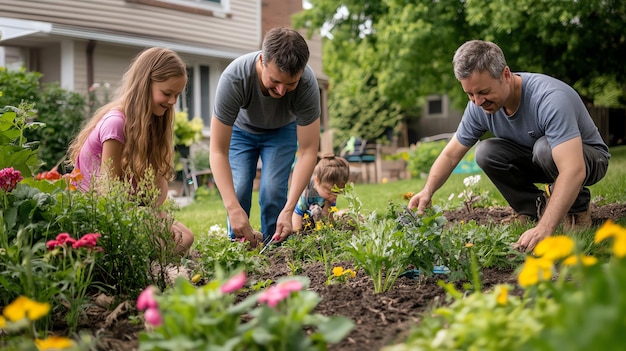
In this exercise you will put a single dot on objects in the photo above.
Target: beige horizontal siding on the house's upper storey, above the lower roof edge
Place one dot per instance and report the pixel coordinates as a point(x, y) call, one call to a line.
point(239, 31)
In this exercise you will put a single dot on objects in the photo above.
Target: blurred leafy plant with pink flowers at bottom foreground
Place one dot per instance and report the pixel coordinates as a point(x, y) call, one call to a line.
point(278, 318)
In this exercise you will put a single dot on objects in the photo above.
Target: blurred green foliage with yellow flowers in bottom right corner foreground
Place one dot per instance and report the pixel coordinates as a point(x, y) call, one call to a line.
point(571, 301)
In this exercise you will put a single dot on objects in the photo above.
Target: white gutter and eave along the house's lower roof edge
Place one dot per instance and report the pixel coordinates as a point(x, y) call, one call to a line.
point(11, 29)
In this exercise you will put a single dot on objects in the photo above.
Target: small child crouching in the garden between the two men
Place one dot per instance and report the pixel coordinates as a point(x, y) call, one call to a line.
point(329, 178)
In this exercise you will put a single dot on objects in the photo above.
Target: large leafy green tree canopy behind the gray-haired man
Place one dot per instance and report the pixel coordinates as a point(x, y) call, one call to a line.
point(390, 53)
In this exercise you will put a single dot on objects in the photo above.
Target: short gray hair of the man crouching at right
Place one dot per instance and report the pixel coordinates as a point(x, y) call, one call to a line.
point(478, 55)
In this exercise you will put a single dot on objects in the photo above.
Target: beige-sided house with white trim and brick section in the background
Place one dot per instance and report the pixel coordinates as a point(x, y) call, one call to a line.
point(79, 43)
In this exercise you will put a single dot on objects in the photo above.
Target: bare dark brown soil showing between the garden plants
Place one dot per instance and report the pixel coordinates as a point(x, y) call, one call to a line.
point(380, 319)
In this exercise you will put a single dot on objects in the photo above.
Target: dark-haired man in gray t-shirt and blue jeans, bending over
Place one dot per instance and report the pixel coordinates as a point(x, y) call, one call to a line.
point(267, 106)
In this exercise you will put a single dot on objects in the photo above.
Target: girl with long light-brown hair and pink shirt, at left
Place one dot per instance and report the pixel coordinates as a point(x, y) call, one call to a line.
point(133, 133)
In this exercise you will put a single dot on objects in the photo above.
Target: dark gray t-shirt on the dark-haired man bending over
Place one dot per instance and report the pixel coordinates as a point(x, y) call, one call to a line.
point(239, 100)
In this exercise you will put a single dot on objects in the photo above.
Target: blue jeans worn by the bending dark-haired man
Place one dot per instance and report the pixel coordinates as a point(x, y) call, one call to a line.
point(277, 150)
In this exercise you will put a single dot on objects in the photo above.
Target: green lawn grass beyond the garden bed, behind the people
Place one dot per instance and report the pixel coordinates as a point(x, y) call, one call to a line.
point(208, 210)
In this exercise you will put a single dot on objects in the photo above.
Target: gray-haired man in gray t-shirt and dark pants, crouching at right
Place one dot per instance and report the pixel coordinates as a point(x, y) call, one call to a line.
point(543, 134)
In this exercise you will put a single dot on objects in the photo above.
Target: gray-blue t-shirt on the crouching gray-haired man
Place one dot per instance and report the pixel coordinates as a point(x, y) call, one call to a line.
point(548, 107)
